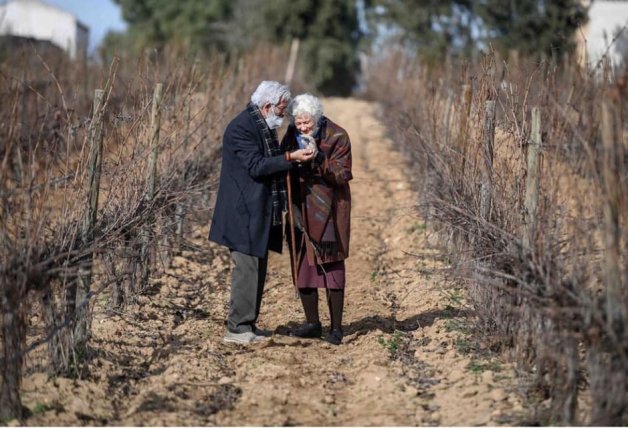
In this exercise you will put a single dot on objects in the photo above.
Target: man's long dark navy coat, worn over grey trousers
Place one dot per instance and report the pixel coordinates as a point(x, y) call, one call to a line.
point(243, 213)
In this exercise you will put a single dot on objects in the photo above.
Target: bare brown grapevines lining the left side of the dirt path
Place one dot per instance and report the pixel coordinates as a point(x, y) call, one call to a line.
point(46, 253)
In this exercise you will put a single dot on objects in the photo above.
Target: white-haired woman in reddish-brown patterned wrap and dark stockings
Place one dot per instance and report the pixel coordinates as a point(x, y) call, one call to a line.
point(321, 211)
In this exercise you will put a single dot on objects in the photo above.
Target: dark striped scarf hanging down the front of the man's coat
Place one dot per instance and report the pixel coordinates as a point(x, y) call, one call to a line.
point(277, 181)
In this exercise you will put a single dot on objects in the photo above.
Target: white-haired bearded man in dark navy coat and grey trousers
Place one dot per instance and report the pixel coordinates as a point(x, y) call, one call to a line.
point(251, 198)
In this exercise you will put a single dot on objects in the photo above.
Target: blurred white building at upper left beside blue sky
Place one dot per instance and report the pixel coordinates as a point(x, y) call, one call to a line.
point(37, 20)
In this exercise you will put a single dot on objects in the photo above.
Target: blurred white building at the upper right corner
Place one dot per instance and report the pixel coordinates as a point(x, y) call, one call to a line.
point(606, 19)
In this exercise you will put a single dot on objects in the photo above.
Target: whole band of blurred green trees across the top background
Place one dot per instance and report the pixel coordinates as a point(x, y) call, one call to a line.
point(332, 34)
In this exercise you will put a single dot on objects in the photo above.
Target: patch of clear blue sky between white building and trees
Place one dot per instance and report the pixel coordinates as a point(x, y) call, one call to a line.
point(99, 15)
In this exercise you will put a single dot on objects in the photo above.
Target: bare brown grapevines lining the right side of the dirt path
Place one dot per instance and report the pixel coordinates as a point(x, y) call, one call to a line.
point(546, 303)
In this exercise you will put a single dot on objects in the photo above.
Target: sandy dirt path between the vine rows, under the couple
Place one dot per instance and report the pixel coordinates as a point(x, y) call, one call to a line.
point(407, 358)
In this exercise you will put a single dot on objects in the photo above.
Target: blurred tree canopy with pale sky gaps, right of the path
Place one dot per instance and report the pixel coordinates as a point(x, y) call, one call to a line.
point(457, 27)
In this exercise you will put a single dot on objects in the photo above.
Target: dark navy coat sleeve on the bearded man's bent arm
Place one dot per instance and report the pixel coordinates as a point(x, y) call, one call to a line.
point(246, 148)
